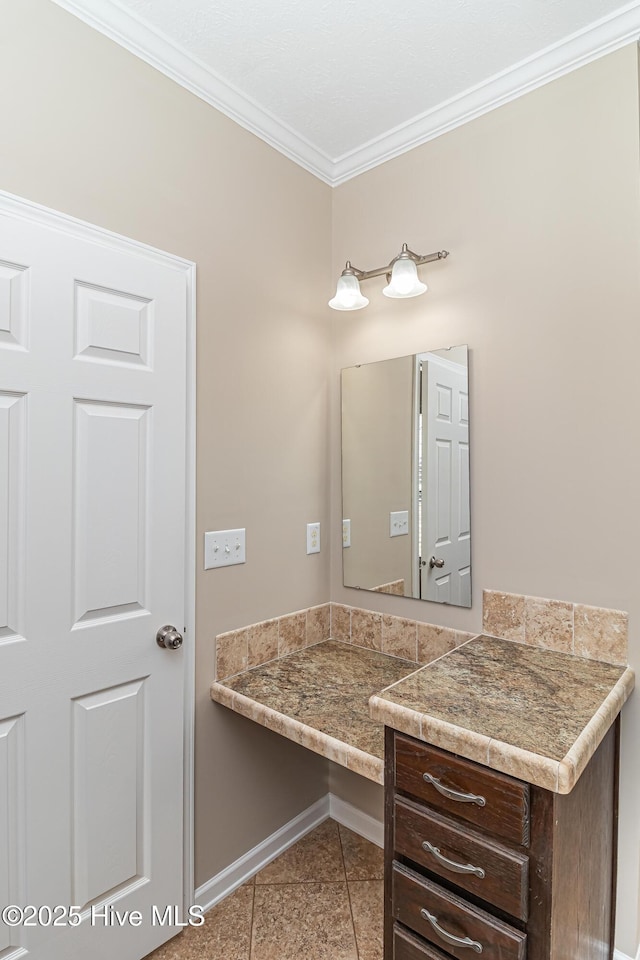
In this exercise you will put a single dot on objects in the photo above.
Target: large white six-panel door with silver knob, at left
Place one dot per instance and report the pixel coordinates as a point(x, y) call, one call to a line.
point(92, 560)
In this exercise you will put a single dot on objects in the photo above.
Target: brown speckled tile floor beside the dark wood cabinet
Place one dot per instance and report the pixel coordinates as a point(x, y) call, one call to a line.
point(321, 899)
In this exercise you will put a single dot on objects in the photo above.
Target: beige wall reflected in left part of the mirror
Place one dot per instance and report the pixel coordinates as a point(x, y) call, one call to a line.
point(377, 444)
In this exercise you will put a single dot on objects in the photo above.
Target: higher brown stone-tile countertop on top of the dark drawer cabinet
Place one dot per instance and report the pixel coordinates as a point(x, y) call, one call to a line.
point(535, 714)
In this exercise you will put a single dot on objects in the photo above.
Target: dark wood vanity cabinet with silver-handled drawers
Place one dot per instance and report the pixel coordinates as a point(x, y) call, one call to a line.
point(478, 863)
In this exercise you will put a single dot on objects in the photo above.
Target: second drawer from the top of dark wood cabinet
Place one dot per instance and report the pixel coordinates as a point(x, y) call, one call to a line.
point(482, 866)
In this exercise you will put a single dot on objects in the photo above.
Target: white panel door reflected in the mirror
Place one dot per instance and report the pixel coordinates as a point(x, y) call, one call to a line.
point(446, 534)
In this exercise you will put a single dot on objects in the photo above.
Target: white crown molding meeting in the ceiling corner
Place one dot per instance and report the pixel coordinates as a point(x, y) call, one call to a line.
point(132, 33)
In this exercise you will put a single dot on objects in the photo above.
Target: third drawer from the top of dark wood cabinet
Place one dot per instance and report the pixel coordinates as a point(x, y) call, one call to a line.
point(455, 926)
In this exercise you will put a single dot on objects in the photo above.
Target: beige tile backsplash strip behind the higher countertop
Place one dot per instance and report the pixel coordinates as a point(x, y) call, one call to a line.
point(594, 633)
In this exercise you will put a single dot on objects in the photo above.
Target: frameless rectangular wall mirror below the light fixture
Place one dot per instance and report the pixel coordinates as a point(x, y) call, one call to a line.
point(405, 476)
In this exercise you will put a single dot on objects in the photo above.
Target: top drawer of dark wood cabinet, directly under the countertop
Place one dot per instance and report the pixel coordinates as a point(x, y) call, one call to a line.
point(491, 800)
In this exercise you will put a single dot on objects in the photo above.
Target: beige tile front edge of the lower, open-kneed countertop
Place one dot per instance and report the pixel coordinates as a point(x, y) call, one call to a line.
point(342, 753)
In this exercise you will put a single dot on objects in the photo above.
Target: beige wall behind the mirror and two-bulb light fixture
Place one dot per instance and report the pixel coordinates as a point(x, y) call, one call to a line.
point(538, 203)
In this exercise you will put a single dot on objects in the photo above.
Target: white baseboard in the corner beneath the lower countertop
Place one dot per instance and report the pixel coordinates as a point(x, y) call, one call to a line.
point(238, 872)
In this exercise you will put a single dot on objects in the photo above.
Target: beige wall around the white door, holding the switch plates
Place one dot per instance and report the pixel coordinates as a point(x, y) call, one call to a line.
point(90, 130)
